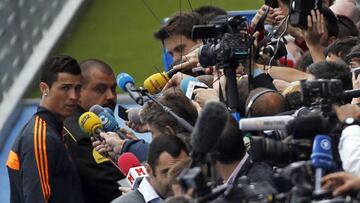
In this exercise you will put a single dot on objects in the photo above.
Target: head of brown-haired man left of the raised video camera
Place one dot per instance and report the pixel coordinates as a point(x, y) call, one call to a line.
point(175, 35)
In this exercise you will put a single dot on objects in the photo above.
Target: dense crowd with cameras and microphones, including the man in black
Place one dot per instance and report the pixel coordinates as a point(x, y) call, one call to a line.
point(265, 111)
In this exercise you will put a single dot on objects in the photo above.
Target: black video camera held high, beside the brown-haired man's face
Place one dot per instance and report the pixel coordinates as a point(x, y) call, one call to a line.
point(226, 41)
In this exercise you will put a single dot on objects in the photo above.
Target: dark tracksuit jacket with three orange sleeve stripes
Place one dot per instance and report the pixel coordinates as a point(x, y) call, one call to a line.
point(39, 165)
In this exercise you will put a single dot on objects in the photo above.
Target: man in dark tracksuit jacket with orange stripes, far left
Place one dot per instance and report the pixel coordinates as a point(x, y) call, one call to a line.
point(39, 165)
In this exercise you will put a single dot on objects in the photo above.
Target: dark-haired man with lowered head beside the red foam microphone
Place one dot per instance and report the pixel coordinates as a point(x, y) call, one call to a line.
point(164, 152)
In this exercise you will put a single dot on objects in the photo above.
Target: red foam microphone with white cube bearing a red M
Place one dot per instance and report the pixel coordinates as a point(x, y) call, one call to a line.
point(130, 166)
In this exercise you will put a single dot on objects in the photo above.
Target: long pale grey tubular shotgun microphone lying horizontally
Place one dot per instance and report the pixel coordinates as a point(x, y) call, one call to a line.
point(265, 123)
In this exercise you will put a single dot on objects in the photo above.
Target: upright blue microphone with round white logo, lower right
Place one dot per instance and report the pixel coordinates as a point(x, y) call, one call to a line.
point(321, 158)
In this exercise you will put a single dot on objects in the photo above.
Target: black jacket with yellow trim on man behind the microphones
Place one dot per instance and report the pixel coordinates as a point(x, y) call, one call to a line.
point(98, 175)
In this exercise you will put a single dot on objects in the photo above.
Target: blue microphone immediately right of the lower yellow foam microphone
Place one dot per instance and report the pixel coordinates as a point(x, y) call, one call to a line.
point(107, 120)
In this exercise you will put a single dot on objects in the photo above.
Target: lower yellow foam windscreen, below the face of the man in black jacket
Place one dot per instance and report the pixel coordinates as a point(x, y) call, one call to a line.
point(89, 122)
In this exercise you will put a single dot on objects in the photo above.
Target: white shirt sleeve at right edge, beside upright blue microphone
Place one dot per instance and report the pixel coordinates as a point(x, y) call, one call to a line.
point(349, 149)
